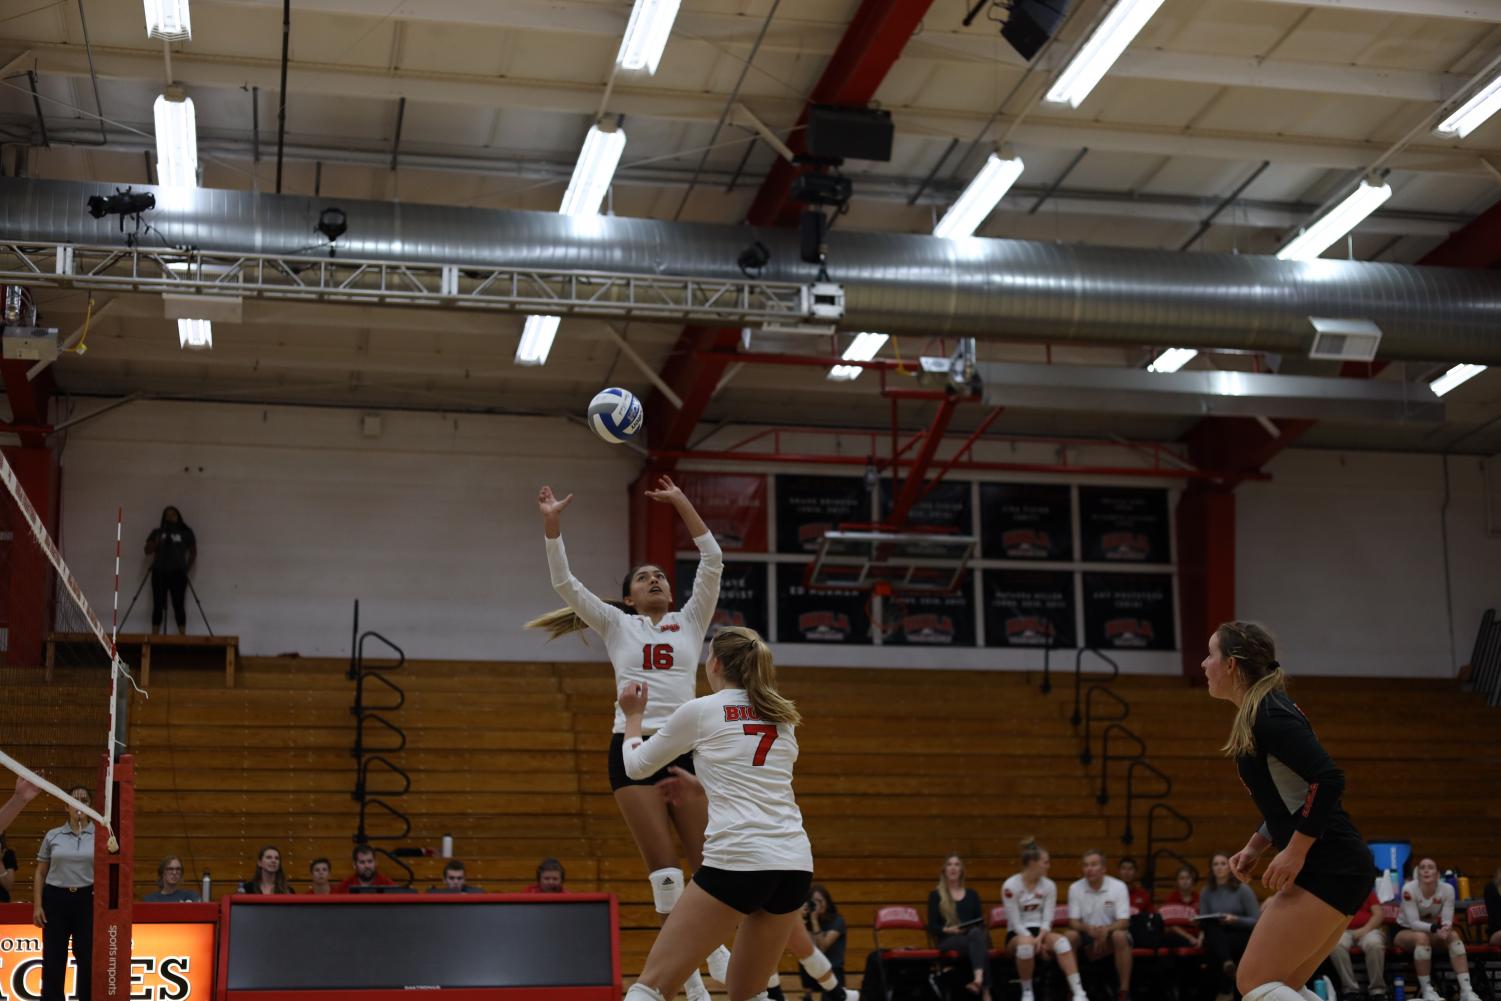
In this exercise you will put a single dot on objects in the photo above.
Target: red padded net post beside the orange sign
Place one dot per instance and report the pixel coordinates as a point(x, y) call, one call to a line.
point(115, 886)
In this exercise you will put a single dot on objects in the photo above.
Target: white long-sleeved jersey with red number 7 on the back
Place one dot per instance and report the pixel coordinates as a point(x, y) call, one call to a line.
point(747, 771)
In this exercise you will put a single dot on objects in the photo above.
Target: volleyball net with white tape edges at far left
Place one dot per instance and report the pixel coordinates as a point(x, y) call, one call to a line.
point(64, 690)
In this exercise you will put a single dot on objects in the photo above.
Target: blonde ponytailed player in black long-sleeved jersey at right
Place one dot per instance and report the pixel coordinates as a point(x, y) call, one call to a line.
point(1323, 870)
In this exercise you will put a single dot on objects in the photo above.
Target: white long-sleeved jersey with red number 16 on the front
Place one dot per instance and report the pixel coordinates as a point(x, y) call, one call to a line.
point(666, 655)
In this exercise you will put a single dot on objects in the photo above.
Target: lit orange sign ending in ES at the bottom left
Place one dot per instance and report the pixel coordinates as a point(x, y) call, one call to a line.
point(169, 963)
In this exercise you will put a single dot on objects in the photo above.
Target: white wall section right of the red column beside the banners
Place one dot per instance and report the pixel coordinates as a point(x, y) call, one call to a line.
point(1343, 556)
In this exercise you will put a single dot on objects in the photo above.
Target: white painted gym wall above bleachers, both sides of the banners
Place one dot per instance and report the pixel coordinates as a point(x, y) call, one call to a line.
point(433, 526)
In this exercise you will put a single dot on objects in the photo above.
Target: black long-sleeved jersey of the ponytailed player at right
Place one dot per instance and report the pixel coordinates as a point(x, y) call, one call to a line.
point(1295, 783)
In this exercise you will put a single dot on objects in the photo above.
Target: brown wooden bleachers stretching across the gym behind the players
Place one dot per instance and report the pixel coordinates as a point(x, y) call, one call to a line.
point(898, 769)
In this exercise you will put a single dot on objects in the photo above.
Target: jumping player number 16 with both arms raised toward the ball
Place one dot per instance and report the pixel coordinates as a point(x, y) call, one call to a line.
point(645, 639)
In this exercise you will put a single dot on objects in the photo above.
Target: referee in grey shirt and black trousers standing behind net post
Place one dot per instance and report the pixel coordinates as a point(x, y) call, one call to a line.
point(64, 894)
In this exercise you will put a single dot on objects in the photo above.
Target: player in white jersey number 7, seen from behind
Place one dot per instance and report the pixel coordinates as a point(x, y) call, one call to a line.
point(759, 865)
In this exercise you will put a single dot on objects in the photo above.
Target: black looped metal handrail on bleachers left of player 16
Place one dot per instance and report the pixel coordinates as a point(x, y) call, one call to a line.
point(374, 756)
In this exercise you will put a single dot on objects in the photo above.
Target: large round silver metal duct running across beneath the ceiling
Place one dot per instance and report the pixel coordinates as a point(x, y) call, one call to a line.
point(895, 283)
